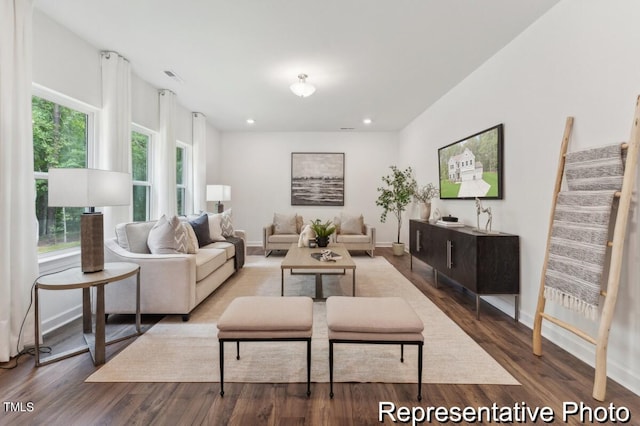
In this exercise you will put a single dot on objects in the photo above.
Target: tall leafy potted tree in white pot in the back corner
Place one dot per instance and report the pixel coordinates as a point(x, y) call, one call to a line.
point(399, 187)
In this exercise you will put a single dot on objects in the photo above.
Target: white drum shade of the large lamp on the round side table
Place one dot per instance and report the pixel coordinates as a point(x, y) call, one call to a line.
point(88, 188)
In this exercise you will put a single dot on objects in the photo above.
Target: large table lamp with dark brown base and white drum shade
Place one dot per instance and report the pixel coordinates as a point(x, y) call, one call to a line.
point(89, 188)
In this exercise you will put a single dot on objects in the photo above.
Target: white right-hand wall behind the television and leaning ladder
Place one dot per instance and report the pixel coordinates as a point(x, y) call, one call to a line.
point(580, 59)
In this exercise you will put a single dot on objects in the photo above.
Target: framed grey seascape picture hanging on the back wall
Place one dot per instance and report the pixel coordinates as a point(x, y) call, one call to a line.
point(317, 179)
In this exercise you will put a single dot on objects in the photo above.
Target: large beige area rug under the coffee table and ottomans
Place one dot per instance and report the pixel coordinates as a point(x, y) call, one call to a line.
point(177, 351)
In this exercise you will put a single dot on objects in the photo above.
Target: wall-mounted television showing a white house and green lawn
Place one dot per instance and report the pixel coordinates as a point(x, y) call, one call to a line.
point(472, 167)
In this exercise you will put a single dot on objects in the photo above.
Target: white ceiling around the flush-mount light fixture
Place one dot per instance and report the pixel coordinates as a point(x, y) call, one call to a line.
point(386, 60)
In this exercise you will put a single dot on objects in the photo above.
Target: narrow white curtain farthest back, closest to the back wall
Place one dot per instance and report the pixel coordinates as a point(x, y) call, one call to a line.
point(199, 162)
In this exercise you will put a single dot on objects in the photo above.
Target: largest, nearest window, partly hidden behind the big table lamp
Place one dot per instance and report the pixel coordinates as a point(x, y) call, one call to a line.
point(61, 138)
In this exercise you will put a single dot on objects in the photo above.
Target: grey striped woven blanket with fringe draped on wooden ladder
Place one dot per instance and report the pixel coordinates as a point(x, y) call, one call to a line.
point(580, 229)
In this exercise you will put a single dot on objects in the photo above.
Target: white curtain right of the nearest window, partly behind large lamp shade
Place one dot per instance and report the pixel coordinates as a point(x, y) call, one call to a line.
point(114, 146)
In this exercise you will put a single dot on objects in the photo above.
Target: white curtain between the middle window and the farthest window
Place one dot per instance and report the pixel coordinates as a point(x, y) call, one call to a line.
point(165, 165)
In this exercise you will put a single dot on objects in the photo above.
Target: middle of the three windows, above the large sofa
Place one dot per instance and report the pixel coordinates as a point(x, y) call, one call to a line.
point(141, 172)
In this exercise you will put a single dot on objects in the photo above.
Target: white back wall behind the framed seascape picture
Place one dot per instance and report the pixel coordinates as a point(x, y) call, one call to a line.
point(258, 168)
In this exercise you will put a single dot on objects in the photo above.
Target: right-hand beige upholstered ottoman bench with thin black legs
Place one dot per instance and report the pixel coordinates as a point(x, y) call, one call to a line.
point(374, 320)
